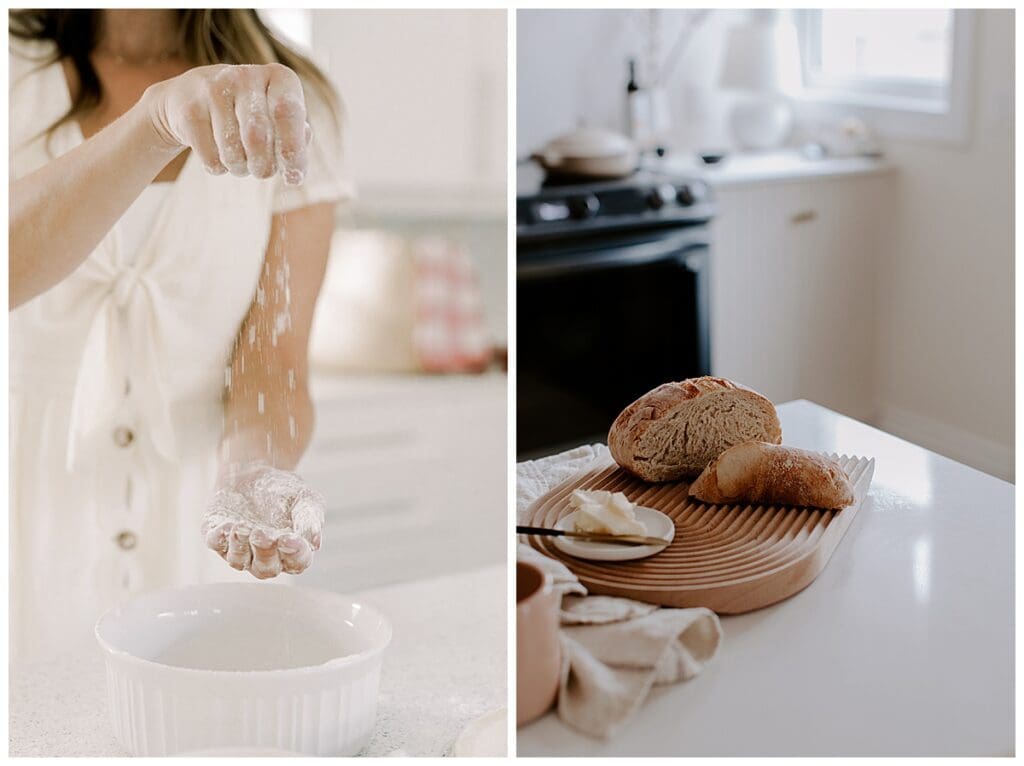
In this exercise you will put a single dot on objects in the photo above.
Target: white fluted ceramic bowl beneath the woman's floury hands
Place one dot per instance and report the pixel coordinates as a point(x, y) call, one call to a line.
point(237, 665)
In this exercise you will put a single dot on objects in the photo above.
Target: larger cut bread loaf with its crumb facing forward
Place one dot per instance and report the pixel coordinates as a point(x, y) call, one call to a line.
point(677, 430)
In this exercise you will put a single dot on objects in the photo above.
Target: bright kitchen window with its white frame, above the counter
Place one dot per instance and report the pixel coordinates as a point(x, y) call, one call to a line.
point(905, 72)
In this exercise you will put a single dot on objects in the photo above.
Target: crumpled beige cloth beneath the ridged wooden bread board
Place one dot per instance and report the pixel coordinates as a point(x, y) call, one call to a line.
point(615, 651)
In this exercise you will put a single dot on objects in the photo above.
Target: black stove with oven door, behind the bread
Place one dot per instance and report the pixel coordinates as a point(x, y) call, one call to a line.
point(613, 300)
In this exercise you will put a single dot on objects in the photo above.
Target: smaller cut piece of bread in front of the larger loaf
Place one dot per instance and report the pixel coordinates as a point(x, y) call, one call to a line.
point(756, 473)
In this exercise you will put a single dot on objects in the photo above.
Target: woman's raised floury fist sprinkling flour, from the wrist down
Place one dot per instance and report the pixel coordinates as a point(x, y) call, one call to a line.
point(249, 120)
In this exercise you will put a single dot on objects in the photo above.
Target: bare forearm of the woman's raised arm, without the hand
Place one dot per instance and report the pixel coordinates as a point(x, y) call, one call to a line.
point(60, 214)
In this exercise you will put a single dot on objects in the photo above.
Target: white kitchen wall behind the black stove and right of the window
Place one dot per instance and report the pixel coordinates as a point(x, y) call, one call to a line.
point(945, 350)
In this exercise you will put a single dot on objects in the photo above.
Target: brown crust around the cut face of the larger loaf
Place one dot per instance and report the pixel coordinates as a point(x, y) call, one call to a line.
point(631, 425)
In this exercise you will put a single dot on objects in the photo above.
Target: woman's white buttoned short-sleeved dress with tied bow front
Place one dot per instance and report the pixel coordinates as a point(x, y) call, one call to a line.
point(117, 375)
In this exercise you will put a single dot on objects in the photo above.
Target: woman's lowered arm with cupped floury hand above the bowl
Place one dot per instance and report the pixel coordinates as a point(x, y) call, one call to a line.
point(264, 518)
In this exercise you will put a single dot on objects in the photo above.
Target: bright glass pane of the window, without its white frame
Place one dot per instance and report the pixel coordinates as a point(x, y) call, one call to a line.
point(886, 45)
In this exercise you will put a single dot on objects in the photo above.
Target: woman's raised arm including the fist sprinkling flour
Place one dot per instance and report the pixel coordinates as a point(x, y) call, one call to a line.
point(248, 120)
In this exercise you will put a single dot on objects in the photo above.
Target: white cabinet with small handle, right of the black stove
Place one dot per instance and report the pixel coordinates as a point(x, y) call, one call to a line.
point(794, 275)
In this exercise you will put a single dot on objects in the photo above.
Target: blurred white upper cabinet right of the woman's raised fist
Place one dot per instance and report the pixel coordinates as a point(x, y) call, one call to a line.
point(426, 103)
